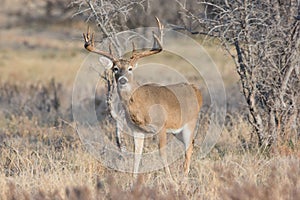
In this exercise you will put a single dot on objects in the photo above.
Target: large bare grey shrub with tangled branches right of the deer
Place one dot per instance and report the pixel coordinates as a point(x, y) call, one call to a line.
point(266, 38)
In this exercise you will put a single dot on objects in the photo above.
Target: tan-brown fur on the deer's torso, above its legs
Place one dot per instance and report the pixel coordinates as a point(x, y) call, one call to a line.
point(178, 112)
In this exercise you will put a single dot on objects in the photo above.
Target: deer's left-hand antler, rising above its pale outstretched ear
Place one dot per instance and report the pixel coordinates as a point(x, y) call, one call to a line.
point(89, 44)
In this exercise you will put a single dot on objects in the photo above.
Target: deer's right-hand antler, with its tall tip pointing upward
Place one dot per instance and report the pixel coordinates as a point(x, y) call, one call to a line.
point(137, 55)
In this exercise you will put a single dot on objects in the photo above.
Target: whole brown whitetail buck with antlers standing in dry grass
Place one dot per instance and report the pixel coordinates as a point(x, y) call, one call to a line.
point(153, 108)
